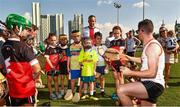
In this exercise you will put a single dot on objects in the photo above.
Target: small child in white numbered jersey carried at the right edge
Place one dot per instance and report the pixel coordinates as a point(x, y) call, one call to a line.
point(171, 43)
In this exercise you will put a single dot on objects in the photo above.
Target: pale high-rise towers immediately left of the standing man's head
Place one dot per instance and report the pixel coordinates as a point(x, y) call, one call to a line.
point(76, 24)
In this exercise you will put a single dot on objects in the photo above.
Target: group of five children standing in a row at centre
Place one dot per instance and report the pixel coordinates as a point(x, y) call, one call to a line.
point(77, 60)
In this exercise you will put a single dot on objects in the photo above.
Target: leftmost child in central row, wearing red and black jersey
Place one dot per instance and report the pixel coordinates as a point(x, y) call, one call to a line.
point(51, 66)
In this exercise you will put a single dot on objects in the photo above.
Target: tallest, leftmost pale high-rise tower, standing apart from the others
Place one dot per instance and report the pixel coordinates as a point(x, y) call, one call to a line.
point(36, 18)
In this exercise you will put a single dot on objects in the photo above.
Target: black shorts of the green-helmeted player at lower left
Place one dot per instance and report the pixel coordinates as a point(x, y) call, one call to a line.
point(22, 101)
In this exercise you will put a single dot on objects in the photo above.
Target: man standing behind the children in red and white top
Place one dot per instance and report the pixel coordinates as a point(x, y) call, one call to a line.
point(90, 30)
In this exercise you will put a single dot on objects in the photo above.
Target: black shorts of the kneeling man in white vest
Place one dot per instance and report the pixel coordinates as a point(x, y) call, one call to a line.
point(154, 90)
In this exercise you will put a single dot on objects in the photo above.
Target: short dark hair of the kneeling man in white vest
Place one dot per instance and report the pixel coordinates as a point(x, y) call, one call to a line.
point(146, 25)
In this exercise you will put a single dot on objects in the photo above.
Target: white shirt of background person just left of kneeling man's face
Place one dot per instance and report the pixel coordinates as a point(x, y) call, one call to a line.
point(130, 44)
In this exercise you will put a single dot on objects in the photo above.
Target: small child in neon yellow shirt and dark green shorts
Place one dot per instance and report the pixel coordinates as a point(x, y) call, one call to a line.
point(88, 59)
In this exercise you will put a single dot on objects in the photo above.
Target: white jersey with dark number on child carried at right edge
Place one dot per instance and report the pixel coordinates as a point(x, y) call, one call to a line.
point(171, 42)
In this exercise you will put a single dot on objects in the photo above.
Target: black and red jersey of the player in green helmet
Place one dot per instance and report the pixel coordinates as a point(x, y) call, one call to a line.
point(18, 60)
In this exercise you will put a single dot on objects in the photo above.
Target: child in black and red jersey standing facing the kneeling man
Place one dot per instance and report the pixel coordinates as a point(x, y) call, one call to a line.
point(119, 44)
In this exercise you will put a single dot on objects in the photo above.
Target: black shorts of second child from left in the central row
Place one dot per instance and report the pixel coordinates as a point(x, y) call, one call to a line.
point(63, 68)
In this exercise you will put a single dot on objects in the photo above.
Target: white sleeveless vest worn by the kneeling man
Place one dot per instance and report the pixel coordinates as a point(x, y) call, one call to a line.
point(161, 63)
